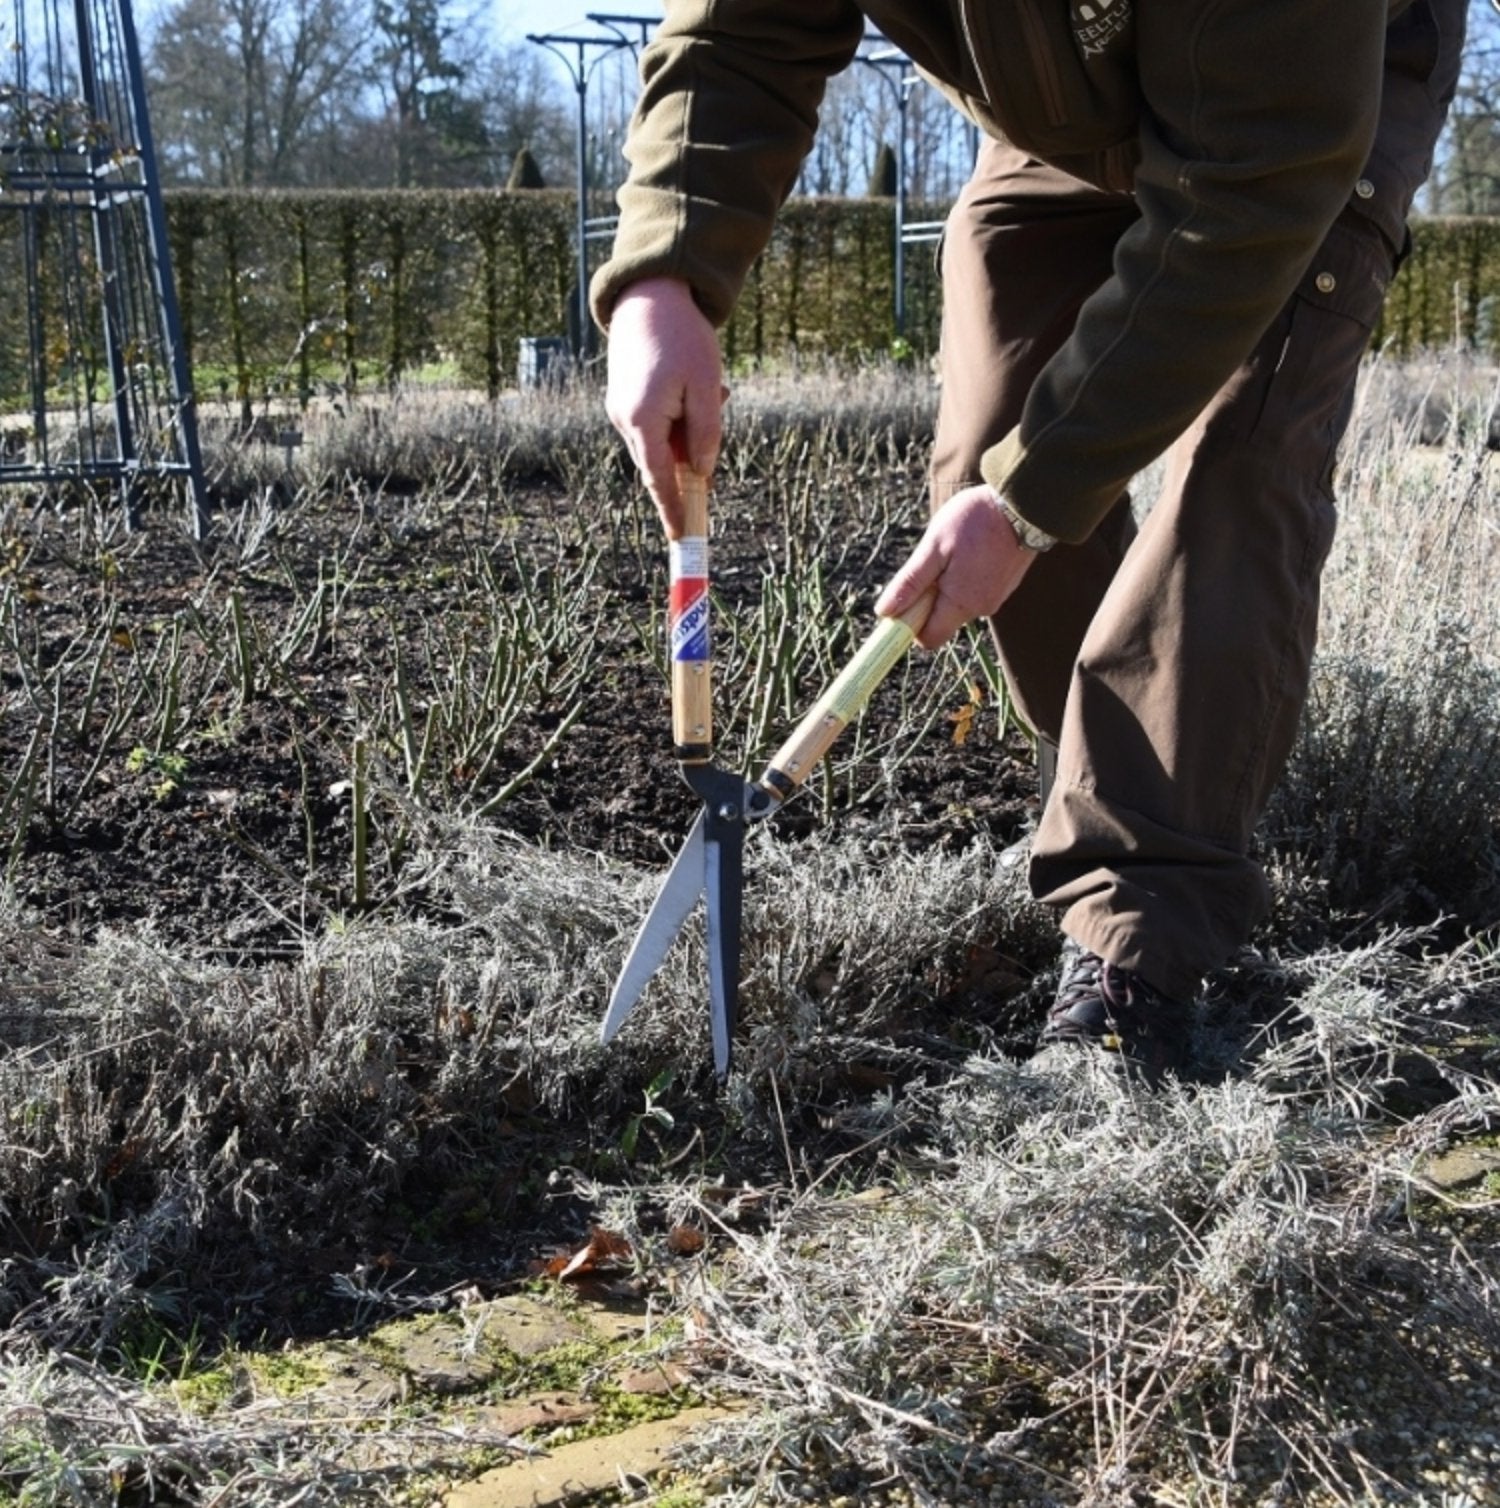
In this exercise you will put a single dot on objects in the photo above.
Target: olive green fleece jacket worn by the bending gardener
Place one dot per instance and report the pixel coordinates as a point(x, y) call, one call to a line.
point(1241, 126)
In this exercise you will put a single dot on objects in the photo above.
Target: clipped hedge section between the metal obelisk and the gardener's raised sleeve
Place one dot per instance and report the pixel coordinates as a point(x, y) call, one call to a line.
point(292, 290)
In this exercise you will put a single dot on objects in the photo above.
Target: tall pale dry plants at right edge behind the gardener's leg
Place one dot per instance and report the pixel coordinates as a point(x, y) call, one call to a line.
point(1395, 783)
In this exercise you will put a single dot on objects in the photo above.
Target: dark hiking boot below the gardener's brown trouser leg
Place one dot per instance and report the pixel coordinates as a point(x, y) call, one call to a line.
point(1112, 1008)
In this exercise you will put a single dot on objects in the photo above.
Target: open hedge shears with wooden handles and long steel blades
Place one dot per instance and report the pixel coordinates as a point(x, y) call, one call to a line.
point(711, 863)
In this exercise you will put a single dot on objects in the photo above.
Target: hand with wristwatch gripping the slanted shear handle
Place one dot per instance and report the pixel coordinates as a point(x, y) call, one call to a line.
point(972, 556)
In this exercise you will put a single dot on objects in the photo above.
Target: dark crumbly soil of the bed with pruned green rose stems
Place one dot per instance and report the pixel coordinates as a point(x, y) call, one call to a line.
point(231, 835)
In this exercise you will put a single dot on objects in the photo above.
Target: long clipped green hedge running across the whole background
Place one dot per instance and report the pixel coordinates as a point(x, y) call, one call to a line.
point(292, 292)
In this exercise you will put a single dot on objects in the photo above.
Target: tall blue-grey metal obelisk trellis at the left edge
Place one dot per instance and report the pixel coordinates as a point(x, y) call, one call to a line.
point(94, 375)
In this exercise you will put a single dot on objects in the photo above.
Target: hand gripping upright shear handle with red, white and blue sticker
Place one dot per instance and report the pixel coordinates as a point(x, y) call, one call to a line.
point(666, 391)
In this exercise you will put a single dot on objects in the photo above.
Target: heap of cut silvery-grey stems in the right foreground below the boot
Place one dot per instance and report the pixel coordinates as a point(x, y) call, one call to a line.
point(1228, 1295)
